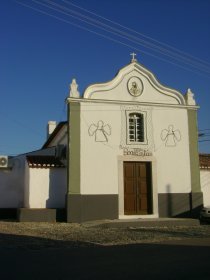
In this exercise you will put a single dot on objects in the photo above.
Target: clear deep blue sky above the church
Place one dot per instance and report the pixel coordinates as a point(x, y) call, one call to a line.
point(41, 51)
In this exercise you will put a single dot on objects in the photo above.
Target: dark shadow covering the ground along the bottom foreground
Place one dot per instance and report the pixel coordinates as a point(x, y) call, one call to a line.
point(23, 257)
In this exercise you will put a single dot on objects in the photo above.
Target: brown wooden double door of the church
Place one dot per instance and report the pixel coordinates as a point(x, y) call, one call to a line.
point(137, 188)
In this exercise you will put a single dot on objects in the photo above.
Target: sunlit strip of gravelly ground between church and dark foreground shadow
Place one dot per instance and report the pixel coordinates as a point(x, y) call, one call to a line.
point(88, 233)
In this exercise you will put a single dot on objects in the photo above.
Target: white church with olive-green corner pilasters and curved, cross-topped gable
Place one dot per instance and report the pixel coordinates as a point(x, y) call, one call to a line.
point(132, 149)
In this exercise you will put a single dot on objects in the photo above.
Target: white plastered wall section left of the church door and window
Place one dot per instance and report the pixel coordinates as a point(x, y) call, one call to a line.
point(99, 166)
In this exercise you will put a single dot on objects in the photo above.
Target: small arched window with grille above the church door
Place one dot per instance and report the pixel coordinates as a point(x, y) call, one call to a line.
point(136, 128)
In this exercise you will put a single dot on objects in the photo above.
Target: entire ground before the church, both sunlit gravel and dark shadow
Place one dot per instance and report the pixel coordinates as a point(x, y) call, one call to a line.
point(82, 251)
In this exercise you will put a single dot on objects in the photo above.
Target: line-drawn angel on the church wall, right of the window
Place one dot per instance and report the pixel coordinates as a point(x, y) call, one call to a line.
point(170, 136)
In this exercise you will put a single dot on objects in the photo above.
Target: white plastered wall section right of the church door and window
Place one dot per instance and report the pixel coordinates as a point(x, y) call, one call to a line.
point(172, 157)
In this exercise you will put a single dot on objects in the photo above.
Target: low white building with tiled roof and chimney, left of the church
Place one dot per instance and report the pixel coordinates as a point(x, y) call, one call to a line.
point(33, 185)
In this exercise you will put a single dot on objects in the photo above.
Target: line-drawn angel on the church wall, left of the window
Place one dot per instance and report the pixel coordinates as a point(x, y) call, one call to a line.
point(100, 130)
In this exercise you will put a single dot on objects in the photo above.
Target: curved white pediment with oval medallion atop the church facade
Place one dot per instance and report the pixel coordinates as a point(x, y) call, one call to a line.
point(134, 83)
